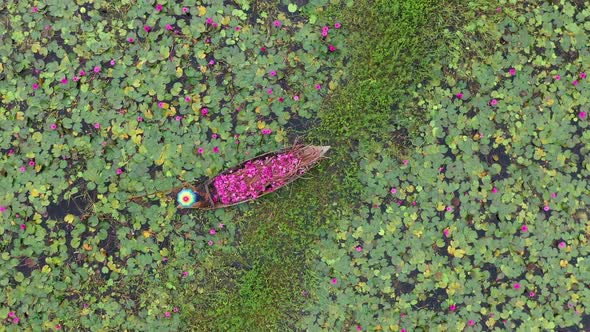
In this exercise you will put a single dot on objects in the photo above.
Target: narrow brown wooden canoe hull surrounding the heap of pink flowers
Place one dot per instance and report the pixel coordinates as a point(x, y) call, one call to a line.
point(206, 197)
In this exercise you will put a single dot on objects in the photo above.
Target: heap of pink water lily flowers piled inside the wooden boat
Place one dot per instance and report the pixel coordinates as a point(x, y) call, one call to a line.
point(255, 178)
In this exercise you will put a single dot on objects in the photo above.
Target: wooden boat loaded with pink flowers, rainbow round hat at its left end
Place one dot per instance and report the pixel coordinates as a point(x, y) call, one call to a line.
point(212, 194)
